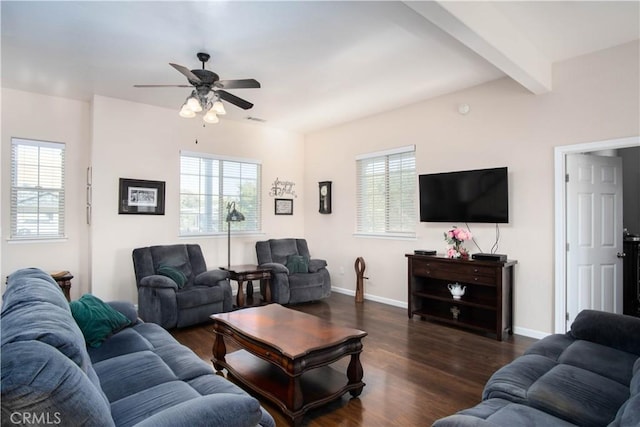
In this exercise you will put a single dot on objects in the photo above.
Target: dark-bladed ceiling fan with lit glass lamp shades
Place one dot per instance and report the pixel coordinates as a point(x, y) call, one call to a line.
point(209, 91)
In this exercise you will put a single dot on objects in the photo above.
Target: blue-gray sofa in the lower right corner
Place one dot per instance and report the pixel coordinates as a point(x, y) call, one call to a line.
point(589, 376)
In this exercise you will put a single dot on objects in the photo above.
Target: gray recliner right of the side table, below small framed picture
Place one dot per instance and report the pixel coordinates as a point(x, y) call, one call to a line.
point(309, 280)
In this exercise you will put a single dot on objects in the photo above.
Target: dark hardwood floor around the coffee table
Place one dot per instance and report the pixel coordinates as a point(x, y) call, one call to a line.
point(415, 371)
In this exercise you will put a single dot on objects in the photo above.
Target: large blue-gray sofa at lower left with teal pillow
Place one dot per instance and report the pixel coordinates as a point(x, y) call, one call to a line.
point(140, 376)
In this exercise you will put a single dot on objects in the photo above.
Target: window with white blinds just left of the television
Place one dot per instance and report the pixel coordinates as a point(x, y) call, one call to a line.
point(386, 193)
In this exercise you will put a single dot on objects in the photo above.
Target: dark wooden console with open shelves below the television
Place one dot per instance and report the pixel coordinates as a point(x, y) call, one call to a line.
point(486, 305)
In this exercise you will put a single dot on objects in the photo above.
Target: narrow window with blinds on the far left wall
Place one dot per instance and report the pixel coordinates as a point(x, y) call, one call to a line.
point(37, 189)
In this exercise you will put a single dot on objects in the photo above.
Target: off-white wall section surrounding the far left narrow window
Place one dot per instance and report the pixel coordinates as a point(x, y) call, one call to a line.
point(33, 116)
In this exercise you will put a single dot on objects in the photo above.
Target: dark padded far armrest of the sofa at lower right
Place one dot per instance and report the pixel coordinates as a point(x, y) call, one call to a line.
point(618, 331)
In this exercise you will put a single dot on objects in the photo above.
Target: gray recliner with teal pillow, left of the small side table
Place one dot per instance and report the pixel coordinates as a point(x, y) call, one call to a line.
point(174, 287)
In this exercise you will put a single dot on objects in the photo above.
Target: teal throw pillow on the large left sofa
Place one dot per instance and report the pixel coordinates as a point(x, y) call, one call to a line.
point(96, 319)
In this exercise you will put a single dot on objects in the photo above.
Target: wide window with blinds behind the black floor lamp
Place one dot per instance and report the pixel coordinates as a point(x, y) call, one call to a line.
point(208, 183)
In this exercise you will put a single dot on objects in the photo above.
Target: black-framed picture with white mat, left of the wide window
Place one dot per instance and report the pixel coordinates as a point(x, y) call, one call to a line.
point(139, 196)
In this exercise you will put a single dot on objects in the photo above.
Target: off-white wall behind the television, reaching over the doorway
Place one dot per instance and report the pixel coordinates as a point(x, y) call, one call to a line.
point(595, 98)
